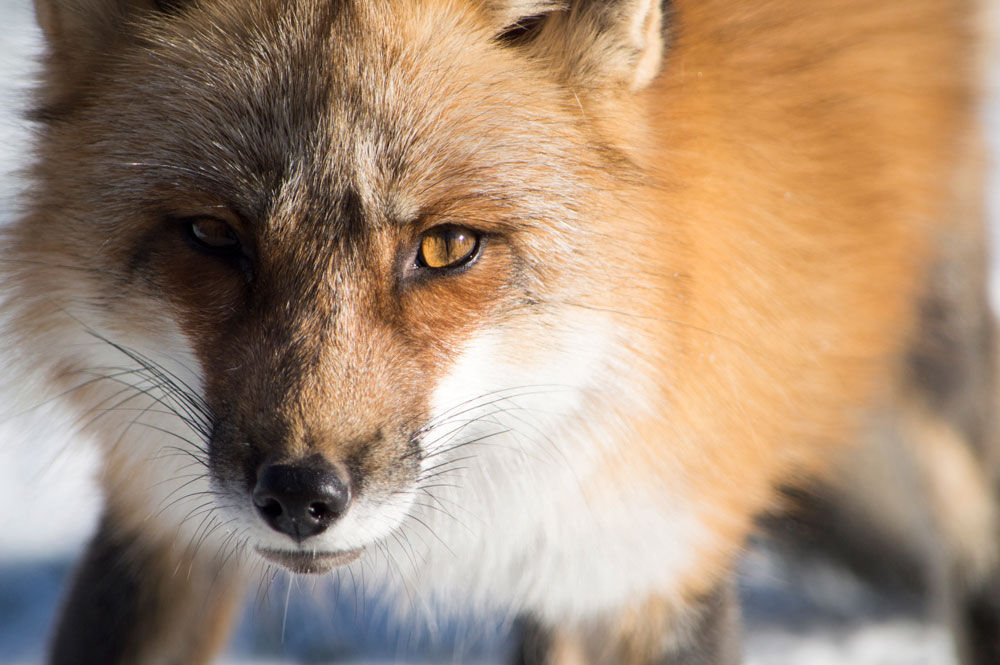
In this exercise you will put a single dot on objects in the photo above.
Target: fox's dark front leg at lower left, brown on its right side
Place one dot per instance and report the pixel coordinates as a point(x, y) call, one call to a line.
point(134, 604)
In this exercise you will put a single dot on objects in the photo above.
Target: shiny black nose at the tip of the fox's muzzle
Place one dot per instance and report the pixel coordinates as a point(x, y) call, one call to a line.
point(301, 499)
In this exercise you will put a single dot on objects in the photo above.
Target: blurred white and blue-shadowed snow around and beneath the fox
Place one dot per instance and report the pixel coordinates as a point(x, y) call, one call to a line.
point(802, 613)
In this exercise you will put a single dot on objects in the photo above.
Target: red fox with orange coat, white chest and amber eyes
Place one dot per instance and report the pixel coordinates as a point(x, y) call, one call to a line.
point(546, 298)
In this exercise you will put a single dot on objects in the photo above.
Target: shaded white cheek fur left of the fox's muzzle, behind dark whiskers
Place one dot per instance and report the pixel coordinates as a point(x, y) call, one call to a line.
point(155, 439)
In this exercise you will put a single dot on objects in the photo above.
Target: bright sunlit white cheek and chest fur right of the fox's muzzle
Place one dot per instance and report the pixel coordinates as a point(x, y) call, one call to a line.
point(524, 517)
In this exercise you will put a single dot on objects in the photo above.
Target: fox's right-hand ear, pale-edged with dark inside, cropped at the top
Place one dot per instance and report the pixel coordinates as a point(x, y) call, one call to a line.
point(593, 43)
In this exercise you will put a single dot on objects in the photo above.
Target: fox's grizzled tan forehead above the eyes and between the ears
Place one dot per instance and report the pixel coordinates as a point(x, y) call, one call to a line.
point(352, 114)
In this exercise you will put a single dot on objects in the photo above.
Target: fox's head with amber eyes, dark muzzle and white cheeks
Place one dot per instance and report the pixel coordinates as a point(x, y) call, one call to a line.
point(294, 255)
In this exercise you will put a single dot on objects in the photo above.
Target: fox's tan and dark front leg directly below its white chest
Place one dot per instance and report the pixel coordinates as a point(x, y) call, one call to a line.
point(707, 632)
